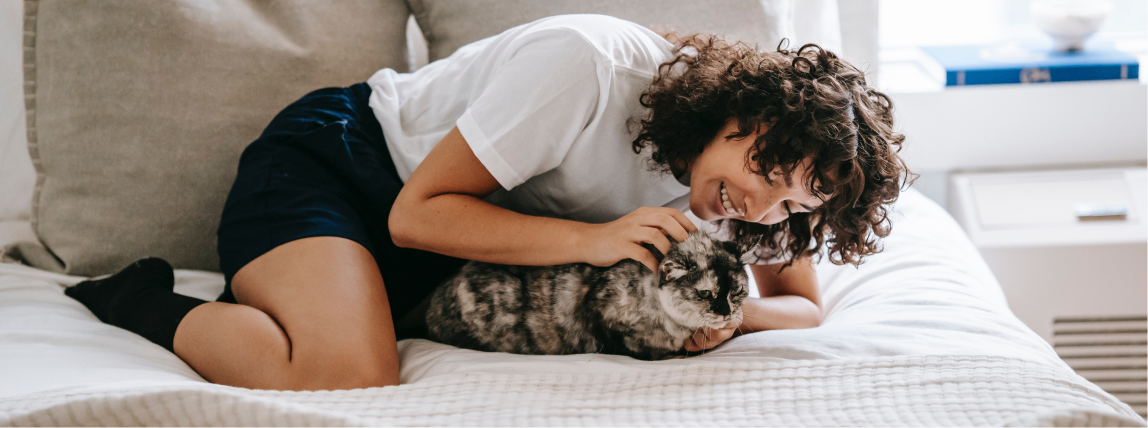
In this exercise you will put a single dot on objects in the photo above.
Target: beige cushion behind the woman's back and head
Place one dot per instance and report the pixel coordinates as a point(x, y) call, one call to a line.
point(449, 25)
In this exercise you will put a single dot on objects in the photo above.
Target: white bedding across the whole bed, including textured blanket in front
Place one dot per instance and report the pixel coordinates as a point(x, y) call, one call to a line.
point(919, 336)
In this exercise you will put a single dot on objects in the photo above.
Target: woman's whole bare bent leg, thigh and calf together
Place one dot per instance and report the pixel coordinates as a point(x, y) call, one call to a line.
point(313, 315)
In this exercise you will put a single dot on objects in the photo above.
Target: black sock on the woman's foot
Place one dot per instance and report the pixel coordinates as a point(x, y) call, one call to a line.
point(138, 299)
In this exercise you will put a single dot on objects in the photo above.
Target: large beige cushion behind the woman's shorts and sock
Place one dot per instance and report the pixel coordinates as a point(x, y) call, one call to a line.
point(142, 110)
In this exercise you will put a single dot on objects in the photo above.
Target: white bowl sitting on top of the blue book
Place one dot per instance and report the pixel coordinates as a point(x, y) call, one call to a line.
point(1069, 22)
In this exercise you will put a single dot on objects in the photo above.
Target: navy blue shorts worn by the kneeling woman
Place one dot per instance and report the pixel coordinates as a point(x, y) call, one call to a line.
point(322, 169)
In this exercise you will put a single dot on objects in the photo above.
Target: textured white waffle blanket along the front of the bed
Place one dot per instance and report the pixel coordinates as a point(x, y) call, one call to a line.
point(888, 392)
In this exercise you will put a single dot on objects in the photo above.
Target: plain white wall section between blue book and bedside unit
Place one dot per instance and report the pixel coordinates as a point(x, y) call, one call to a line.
point(1025, 126)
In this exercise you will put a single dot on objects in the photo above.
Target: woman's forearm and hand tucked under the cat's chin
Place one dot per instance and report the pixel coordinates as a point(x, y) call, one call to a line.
point(789, 300)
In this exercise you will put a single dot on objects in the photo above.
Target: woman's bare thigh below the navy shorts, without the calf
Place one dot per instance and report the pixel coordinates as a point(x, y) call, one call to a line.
point(328, 297)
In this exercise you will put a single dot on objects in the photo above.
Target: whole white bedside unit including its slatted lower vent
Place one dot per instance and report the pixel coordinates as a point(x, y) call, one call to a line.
point(1071, 251)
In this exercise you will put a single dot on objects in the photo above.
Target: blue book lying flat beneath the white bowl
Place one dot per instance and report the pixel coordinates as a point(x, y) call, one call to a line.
point(1019, 65)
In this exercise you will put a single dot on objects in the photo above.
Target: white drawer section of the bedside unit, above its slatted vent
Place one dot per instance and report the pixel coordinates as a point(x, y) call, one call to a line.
point(1067, 244)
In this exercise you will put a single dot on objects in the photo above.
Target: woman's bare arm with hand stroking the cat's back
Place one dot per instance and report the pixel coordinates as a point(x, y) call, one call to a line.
point(441, 209)
